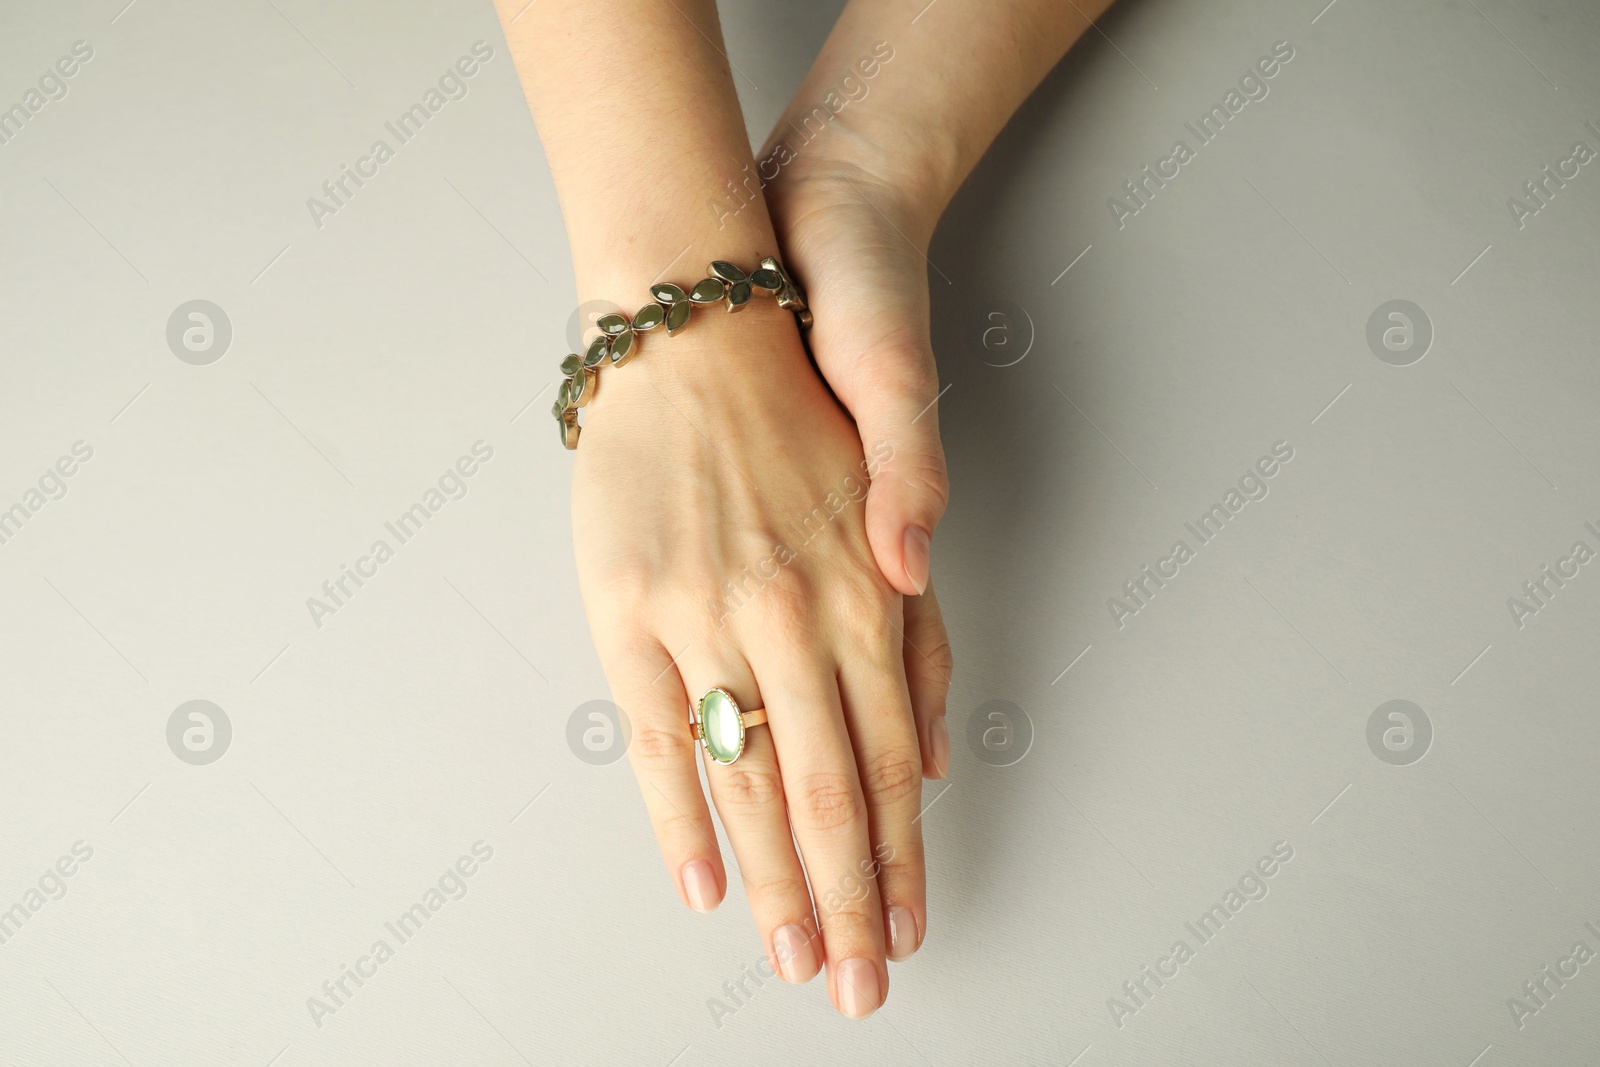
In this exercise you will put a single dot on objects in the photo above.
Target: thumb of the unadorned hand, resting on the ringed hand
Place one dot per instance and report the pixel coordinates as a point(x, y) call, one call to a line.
point(895, 406)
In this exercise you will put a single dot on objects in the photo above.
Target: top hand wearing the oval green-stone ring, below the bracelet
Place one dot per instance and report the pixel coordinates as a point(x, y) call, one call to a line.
point(719, 546)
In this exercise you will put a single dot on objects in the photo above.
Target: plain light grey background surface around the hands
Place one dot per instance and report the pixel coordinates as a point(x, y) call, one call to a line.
point(1230, 714)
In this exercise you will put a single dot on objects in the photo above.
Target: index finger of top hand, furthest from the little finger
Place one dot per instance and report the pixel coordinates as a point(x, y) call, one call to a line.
point(889, 756)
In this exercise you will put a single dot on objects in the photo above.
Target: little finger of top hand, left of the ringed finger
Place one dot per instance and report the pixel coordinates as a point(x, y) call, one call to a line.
point(662, 753)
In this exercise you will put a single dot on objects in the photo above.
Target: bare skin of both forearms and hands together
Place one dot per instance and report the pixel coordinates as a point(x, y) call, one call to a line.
point(702, 458)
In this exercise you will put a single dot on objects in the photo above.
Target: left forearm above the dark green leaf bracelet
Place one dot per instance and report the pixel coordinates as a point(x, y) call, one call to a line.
point(642, 130)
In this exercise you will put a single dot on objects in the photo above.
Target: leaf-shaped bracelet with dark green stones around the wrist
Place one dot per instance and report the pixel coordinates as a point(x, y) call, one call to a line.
point(620, 338)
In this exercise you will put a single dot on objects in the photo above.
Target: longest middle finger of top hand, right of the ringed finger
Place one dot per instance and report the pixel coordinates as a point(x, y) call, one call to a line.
point(830, 818)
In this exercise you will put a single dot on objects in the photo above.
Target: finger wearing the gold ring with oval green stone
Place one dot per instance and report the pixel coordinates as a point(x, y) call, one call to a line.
point(750, 797)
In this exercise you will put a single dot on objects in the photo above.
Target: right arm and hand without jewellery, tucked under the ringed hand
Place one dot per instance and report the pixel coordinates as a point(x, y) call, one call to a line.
point(898, 108)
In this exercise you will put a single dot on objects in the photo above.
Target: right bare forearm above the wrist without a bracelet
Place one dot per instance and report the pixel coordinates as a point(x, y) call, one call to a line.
point(927, 114)
